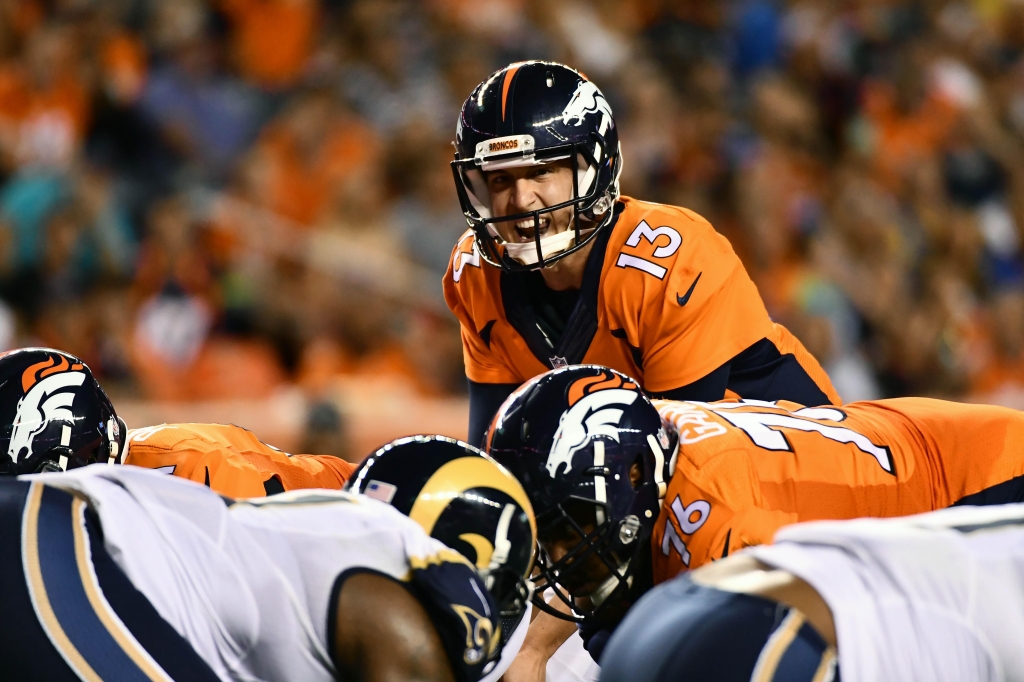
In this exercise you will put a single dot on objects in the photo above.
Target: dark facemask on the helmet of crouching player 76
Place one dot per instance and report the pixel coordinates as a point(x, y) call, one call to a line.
point(599, 543)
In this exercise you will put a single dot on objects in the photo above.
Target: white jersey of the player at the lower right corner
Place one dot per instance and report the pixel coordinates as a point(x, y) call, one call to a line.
point(934, 598)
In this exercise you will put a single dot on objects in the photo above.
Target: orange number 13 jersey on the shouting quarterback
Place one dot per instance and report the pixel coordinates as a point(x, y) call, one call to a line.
point(669, 304)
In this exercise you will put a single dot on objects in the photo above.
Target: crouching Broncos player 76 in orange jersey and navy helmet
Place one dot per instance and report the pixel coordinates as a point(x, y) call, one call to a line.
point(629, 493)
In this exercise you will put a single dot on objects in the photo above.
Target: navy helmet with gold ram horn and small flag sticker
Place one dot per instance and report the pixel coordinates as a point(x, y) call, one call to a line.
point(467, 501)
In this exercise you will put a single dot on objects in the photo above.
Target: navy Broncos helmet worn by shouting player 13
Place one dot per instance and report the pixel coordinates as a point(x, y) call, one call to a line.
point(528, 114)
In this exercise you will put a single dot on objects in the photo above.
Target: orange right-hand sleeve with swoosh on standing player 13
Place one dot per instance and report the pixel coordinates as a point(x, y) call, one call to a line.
point(707, 313)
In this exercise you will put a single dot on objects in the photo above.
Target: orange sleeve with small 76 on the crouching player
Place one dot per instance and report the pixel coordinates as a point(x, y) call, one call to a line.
point(711, 513)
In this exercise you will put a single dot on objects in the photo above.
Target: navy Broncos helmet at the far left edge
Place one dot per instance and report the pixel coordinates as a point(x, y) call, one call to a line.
point(54, 414)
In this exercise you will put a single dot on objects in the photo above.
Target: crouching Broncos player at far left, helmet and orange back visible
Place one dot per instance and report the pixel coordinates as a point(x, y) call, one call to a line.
point(49, 396)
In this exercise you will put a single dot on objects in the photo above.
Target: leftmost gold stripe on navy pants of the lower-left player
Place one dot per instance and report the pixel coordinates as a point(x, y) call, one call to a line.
point(37, 589)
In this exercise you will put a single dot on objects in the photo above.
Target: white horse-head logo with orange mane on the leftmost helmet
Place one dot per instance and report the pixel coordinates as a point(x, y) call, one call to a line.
point(49, 396)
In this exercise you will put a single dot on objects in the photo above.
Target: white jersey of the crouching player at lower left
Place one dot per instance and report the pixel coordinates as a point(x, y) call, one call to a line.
point(249, 584)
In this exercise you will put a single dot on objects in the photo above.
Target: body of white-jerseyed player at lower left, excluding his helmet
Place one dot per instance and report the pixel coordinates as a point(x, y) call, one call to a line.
point(124, 574)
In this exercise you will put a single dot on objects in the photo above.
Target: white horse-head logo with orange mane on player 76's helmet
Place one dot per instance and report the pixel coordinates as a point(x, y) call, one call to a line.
point(592, 414)
